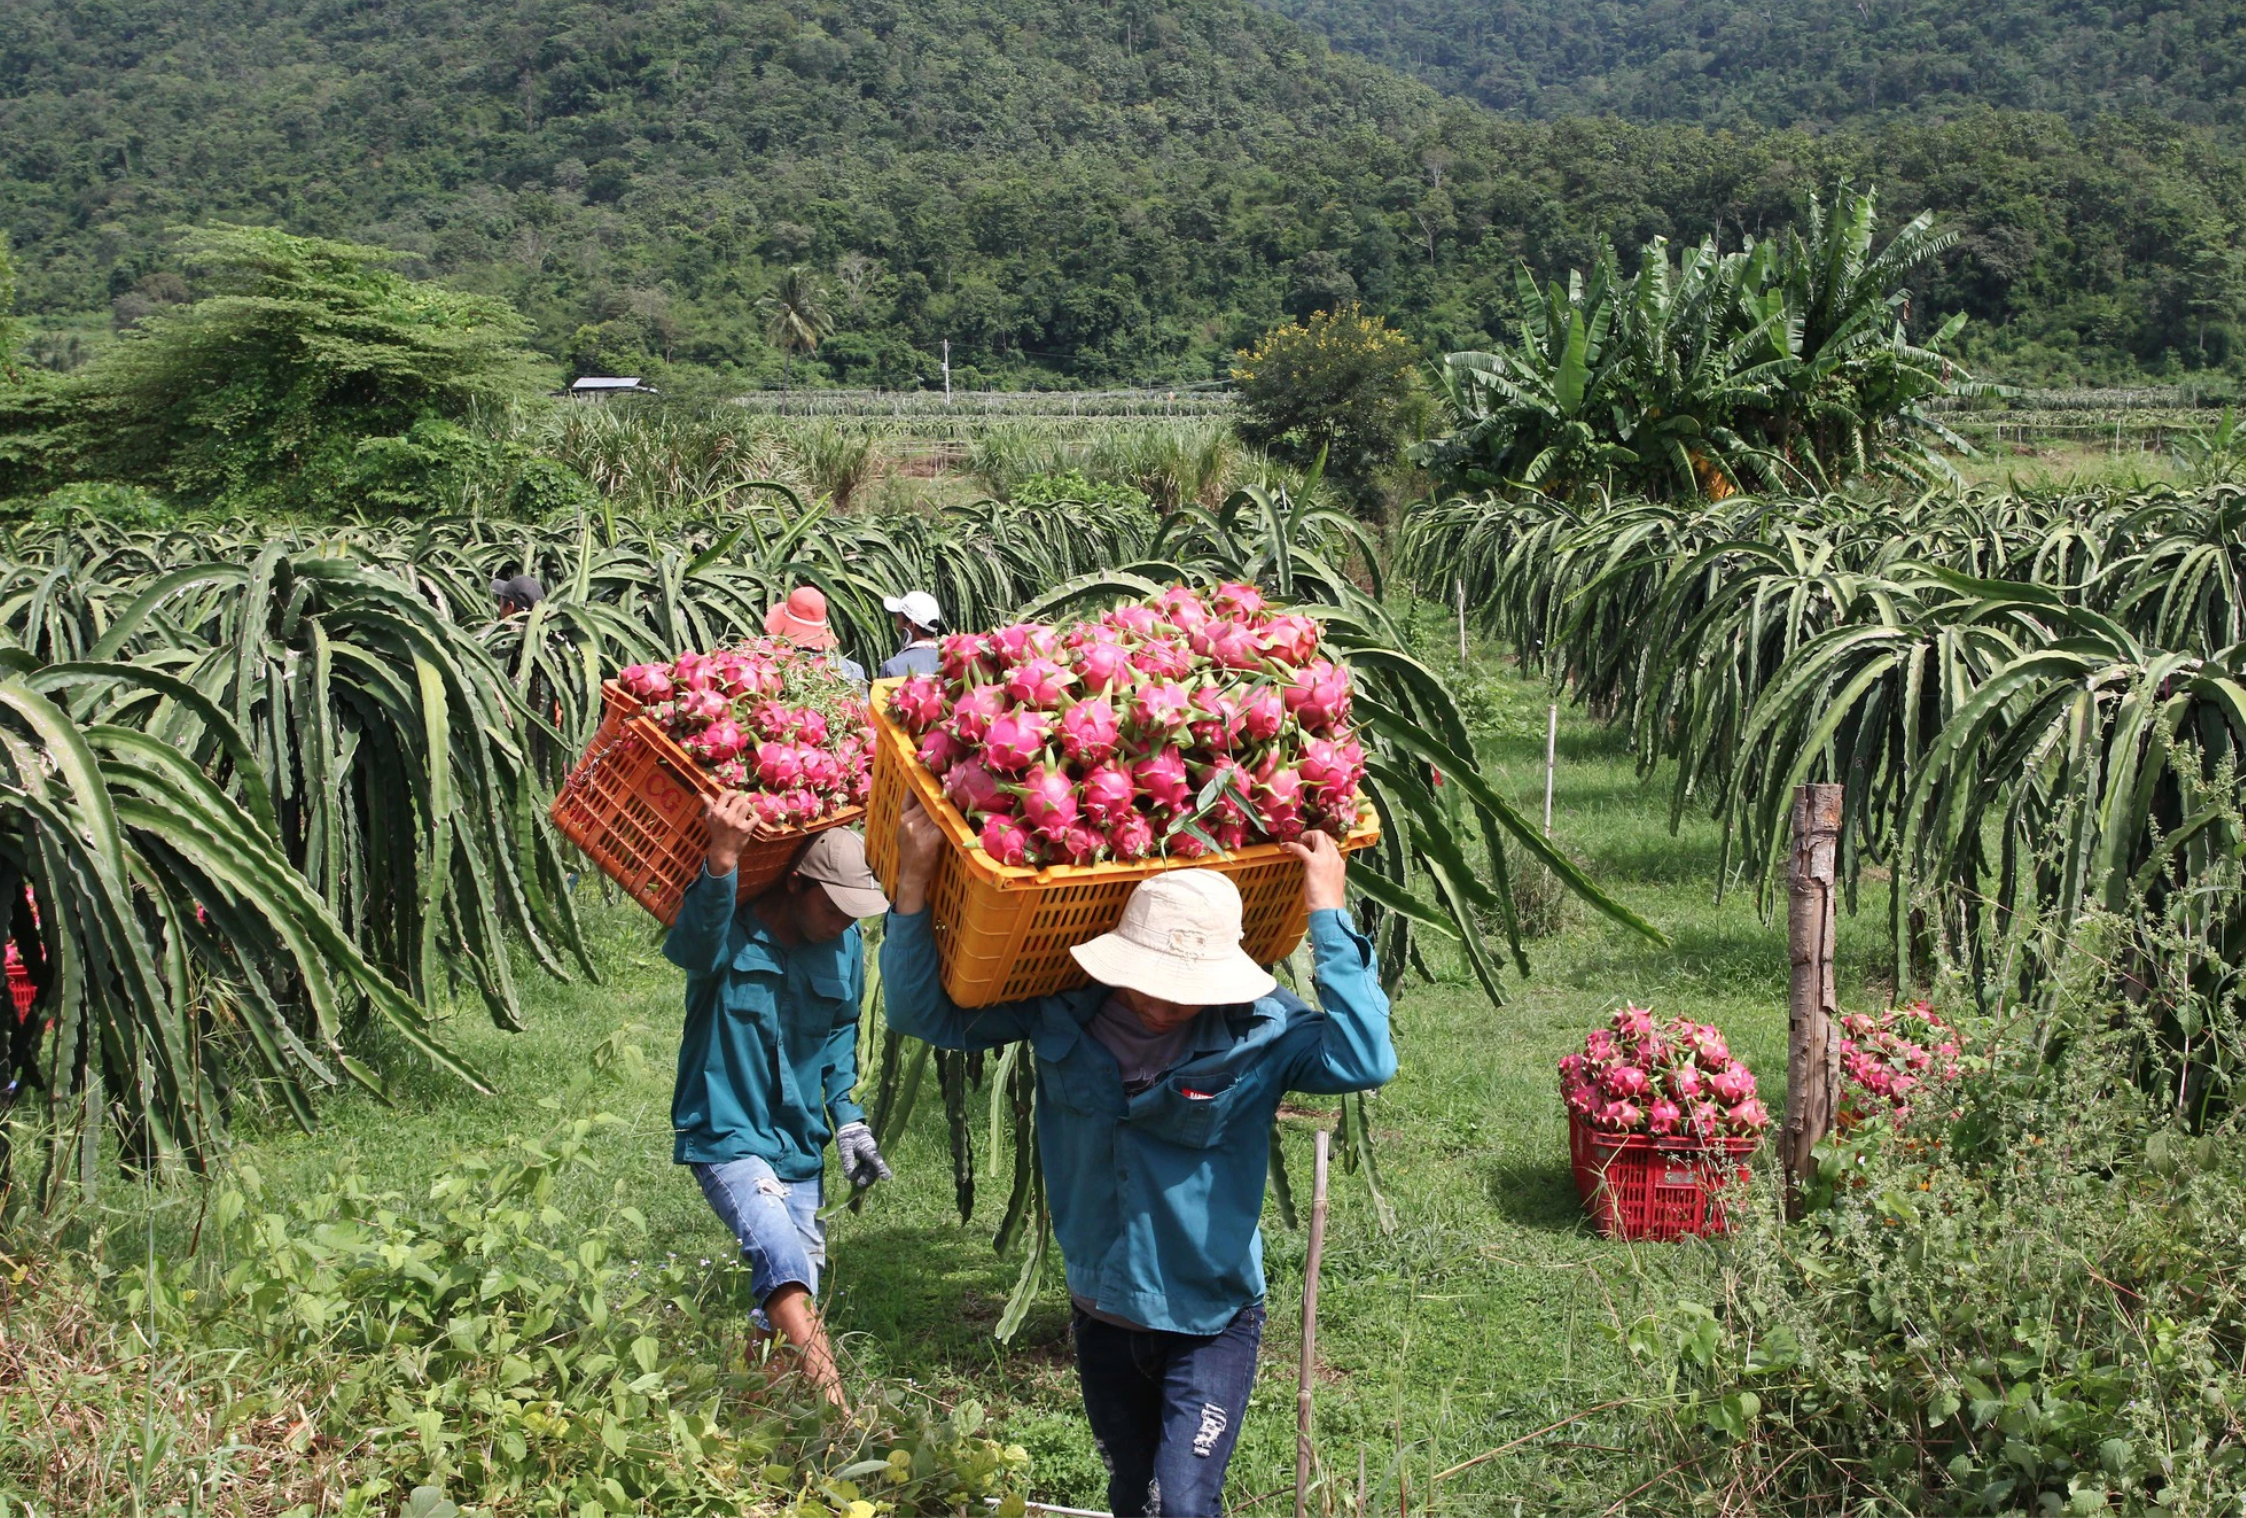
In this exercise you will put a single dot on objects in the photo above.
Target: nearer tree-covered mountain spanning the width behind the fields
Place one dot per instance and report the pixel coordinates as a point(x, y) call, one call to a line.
point(1068, 194)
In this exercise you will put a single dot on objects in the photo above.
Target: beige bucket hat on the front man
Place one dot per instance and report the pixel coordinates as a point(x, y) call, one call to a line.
point(1180, 942)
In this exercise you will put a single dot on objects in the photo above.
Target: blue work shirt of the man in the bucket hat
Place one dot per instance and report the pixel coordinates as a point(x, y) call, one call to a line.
point(1158, 1196)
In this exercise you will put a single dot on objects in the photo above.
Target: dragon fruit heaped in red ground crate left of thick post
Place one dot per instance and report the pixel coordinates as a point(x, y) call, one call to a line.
point(1670, 1079)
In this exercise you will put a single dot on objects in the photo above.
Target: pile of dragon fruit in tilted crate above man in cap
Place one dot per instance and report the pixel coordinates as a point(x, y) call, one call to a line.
point(772, 720)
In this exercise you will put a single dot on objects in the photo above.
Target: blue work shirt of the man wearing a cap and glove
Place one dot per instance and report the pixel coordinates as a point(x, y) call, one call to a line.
point(769, 1054)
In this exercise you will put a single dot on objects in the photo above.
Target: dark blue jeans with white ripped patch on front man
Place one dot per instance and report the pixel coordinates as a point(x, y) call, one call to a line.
point(1167, 1411)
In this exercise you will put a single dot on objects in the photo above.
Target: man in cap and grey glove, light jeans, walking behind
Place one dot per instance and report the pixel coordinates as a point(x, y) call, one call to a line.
point(769, 1059)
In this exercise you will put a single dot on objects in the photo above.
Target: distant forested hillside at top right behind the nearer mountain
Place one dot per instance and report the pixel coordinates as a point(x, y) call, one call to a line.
point(1807, 62)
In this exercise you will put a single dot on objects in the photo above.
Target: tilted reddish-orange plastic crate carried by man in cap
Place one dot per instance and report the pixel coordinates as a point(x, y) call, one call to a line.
point(634, 807)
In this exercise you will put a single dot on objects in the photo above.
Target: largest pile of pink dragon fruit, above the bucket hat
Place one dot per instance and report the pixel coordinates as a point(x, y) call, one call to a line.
point(1178, 726)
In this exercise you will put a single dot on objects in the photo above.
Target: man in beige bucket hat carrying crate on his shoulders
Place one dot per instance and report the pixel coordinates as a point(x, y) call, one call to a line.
point(1156, 1092)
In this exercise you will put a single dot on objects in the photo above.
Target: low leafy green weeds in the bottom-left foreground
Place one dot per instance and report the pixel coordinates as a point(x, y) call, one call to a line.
point(477, 1348)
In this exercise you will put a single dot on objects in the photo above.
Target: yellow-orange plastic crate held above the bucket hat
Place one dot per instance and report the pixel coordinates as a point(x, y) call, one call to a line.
point(1005, 931)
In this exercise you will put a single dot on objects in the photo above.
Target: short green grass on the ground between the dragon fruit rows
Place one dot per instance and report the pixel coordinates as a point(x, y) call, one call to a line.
point(1481, 1317)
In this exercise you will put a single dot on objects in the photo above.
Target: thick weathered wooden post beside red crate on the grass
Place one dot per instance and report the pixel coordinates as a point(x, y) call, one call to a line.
point(1814, 1034)
